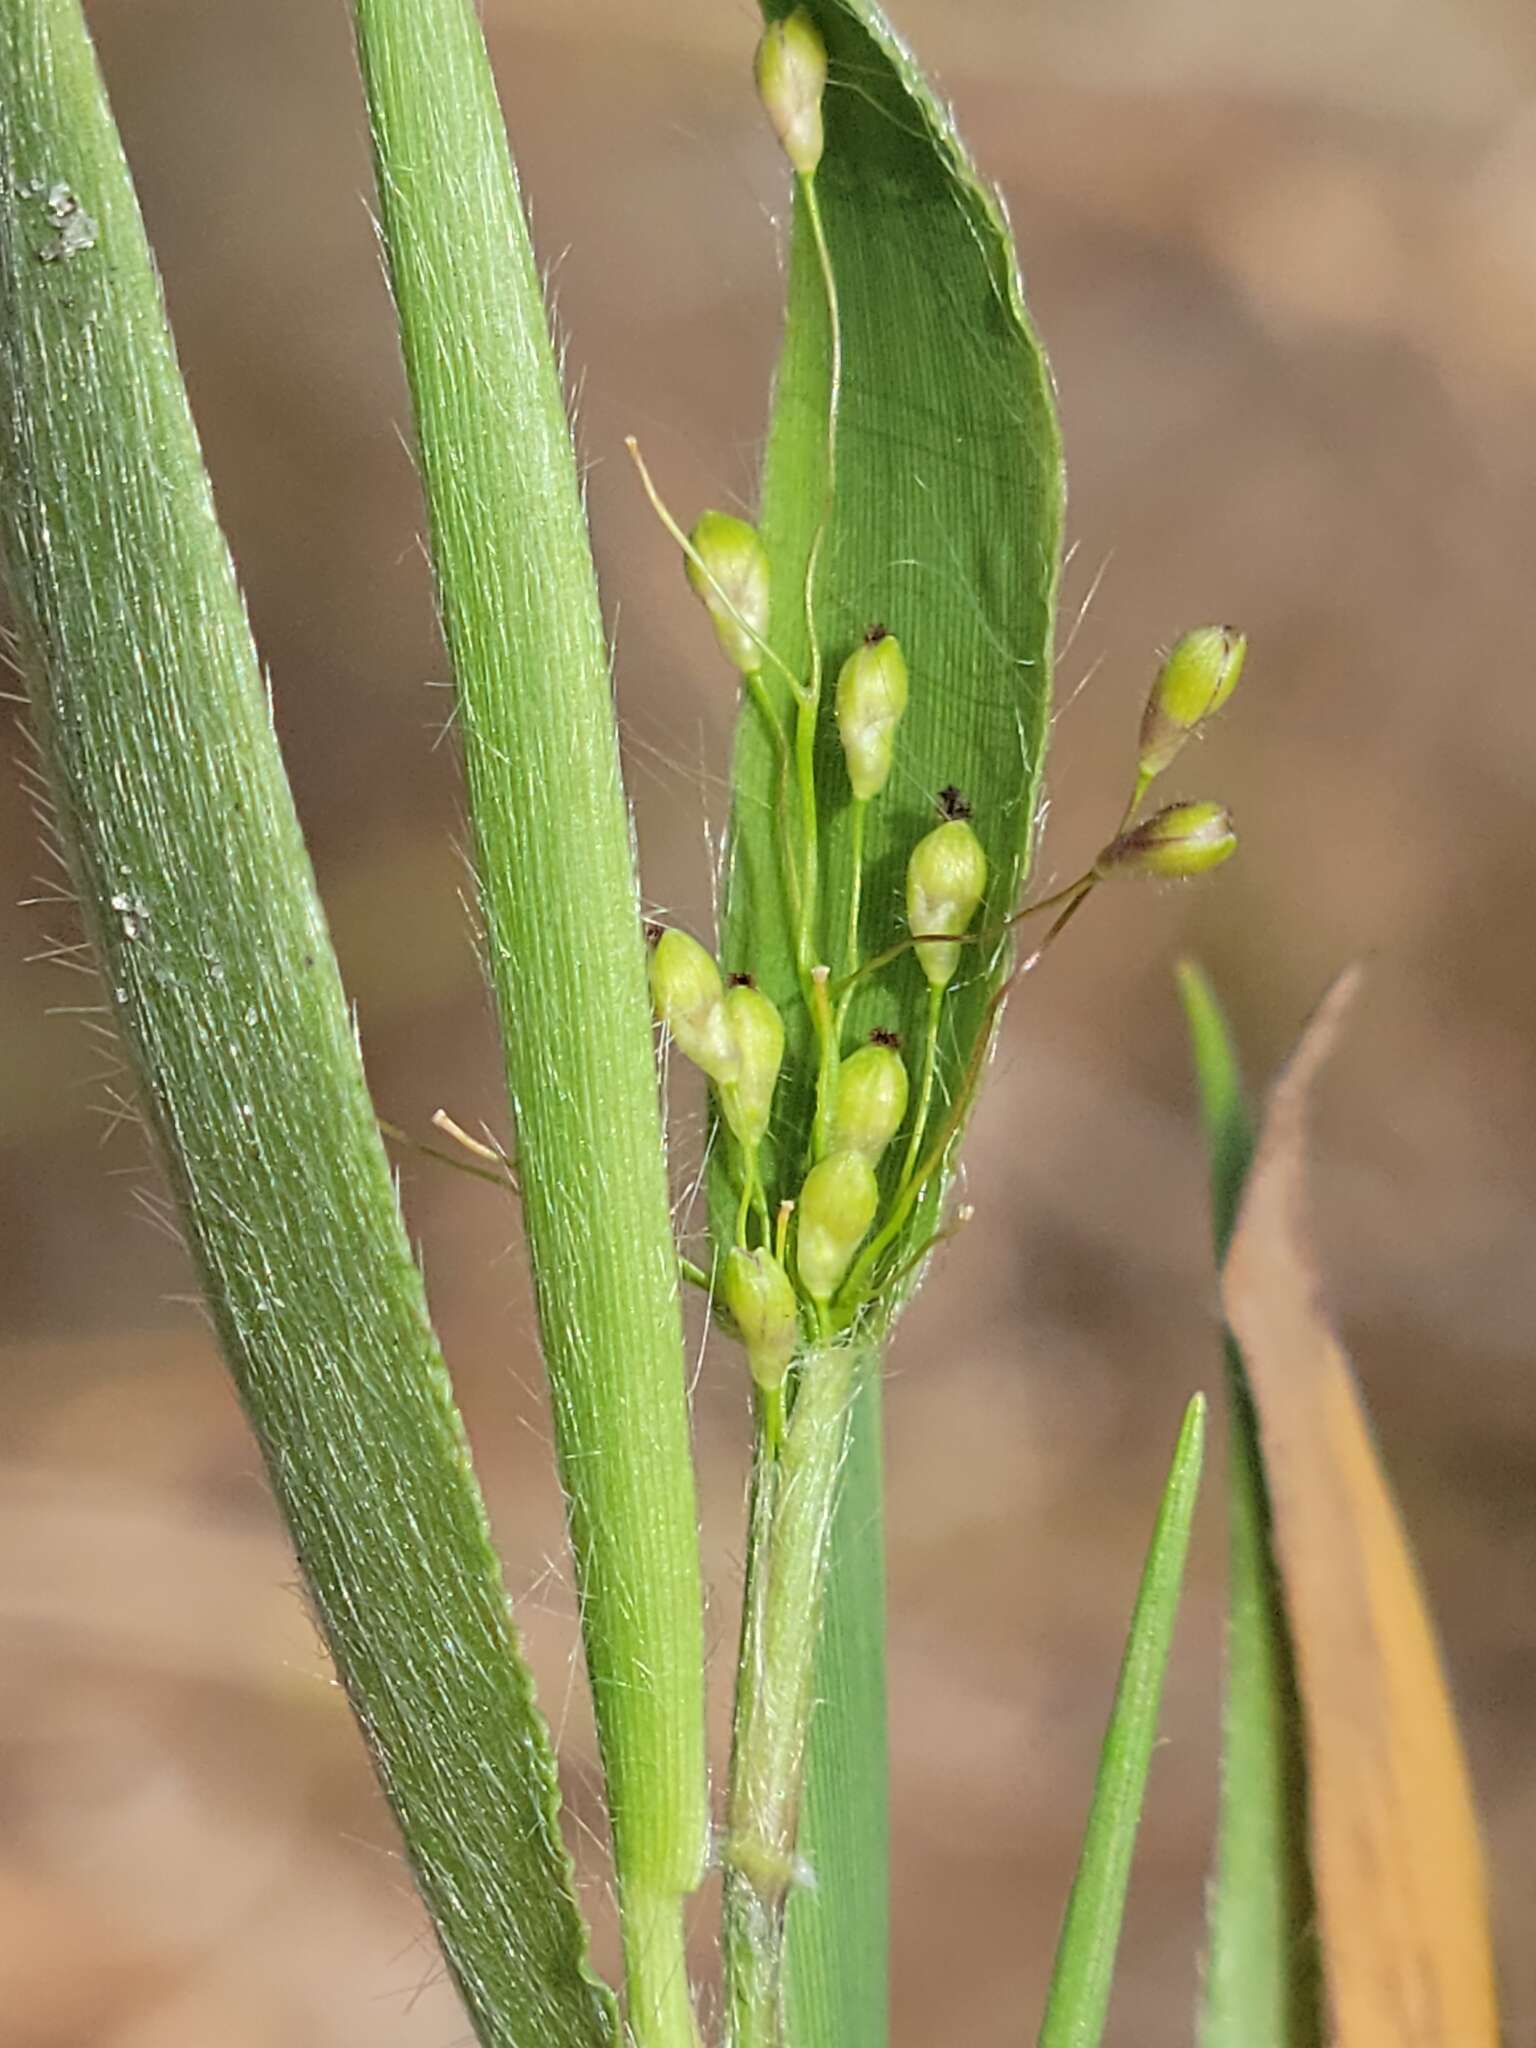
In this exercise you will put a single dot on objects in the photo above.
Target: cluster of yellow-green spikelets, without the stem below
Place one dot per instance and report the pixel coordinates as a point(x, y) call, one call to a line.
point(814, 1263)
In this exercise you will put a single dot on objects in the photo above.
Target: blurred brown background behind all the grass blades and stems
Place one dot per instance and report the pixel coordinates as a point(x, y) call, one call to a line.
point(1287, 269)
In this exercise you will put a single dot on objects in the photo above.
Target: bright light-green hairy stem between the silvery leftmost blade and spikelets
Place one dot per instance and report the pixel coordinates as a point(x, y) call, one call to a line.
point(562, 925)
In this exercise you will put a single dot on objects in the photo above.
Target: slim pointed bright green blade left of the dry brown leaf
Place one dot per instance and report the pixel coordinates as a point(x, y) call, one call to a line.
point(1091, 1934)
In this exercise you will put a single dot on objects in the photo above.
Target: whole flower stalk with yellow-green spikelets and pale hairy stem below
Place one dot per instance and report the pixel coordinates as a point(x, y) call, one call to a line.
point(816, 1250)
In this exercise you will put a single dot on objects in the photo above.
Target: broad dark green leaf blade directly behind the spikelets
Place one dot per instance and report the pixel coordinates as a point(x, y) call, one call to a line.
point(945, 529)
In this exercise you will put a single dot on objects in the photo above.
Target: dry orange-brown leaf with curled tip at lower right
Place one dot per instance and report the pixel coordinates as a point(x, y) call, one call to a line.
point(1398, 1861)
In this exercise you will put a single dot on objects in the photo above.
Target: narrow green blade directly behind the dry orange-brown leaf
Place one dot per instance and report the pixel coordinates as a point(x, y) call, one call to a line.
point(1263, 1979)
